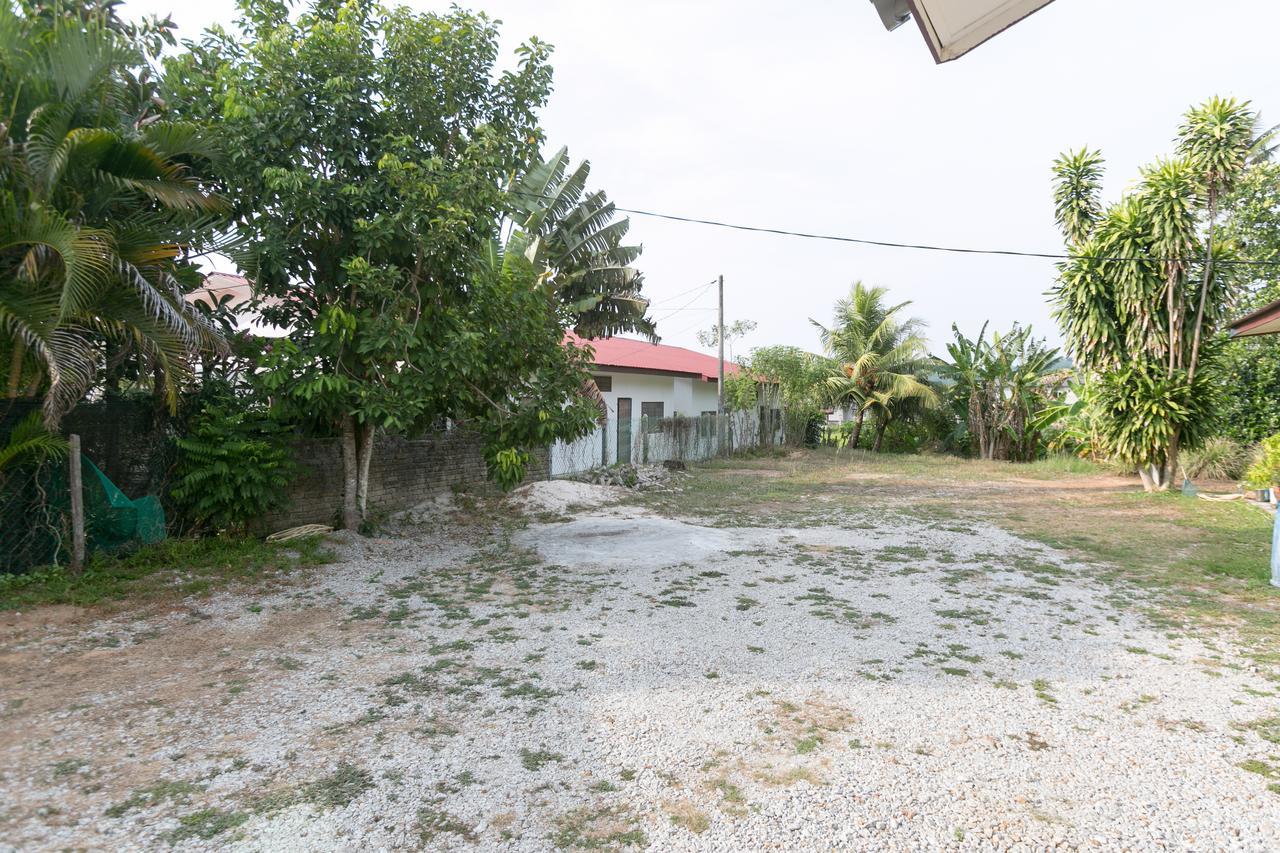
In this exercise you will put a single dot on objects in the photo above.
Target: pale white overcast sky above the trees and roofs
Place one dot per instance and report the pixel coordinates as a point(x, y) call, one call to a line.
point(811, 117)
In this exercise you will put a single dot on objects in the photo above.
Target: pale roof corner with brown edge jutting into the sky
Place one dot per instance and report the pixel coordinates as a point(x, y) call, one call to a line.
point(956, 28)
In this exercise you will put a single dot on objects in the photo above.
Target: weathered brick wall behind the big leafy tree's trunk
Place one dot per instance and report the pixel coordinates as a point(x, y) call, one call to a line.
point(403, 475)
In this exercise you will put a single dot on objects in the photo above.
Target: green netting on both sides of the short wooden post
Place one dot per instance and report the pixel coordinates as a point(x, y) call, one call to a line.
point(36, 512)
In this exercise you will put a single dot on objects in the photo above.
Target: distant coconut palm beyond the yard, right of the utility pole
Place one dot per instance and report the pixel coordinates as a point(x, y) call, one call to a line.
point(883, 362)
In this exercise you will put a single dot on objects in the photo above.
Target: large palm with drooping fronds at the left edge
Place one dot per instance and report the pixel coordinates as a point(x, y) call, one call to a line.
point(99, 212)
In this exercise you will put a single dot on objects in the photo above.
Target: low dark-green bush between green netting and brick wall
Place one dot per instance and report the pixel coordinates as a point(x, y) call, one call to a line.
point(234, 468)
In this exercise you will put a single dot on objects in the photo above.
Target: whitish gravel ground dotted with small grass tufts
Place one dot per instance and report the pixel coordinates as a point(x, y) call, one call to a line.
point(624, 679)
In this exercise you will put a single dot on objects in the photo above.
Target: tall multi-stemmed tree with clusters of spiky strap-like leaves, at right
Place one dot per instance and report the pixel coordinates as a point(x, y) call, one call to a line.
point(1146, 286)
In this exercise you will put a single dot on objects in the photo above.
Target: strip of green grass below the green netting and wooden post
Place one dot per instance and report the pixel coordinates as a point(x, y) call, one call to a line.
point(170, 569)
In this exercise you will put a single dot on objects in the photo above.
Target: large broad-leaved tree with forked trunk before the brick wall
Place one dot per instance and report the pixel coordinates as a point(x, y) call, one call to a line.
point(368, 152)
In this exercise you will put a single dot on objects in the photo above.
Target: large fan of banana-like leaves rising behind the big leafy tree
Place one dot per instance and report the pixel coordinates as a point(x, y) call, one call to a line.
point(572, 238)
